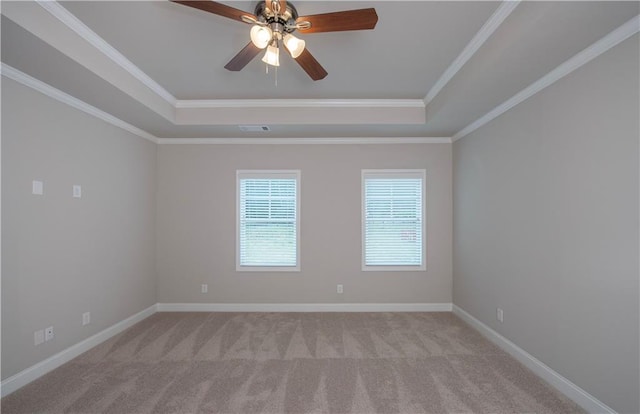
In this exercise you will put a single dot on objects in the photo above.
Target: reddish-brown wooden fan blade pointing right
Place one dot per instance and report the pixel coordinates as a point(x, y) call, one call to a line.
point(361, 19)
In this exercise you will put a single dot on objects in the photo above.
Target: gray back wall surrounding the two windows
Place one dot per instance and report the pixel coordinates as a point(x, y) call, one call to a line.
point(197, 213)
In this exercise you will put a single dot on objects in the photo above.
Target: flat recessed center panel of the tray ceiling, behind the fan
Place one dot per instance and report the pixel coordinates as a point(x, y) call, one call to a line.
point(380, 63)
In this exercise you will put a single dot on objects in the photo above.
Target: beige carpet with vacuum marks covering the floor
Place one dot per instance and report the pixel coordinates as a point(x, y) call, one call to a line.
point(292, 363)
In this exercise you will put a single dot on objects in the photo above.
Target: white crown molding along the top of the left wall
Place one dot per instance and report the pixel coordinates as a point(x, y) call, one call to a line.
point(76, 103)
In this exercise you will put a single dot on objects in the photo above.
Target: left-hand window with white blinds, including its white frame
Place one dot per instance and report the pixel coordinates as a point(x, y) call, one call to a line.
point(268, 220)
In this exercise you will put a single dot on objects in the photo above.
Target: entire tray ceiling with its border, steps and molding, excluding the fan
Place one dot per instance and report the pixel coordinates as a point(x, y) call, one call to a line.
point(428, 69)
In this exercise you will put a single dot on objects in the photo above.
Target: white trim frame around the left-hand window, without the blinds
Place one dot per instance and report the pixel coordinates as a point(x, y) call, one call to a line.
point(268, 174)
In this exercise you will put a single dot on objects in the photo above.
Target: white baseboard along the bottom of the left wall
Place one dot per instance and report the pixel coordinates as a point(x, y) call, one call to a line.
point(34, 372)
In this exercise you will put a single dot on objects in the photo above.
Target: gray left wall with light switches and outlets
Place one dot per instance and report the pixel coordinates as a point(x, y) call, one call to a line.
point(63, 256)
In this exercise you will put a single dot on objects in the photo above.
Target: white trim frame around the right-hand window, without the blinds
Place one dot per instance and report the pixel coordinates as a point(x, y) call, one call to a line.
point(393, 173)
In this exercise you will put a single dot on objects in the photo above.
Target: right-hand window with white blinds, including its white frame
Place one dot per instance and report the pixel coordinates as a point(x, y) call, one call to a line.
point(392, 219)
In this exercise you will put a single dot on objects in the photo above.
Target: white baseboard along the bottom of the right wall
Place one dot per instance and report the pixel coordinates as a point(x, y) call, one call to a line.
point(568, 388)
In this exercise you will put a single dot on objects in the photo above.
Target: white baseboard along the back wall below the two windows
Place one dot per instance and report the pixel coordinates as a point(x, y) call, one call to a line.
point(304, 307)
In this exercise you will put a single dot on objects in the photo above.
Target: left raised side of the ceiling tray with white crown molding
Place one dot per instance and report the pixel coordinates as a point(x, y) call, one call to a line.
point(37, 19)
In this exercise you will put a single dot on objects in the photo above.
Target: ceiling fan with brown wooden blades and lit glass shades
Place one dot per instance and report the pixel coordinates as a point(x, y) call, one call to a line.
point(273, 23)
